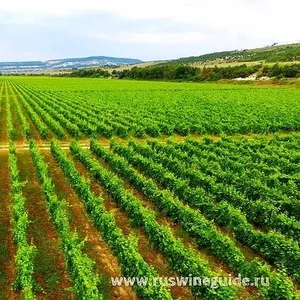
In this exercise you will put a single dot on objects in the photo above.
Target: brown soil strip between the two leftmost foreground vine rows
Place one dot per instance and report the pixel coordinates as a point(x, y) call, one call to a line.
point(49, 268)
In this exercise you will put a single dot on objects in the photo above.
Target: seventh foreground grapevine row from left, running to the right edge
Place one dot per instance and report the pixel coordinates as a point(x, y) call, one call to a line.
point(257, 212)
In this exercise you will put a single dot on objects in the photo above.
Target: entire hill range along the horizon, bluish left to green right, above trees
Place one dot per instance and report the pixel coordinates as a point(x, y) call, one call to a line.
point(284, 53)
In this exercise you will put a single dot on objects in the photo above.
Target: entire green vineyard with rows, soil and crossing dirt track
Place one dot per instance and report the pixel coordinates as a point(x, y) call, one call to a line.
point(105, 178)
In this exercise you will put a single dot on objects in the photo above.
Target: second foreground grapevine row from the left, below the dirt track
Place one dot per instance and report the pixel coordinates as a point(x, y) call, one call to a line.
point(79, 264)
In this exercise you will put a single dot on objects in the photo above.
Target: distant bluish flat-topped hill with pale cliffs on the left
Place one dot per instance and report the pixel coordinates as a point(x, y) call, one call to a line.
point(65, 64)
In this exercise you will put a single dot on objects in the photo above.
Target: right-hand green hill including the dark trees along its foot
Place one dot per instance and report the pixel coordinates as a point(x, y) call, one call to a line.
point(274, 61)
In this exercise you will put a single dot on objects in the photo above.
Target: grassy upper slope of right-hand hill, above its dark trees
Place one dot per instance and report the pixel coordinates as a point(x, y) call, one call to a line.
point(270, 54)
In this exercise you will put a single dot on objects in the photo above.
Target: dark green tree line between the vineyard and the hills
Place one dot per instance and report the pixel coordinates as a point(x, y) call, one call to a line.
point(172, 72)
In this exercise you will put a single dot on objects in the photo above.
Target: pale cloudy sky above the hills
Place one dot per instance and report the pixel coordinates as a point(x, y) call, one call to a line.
point(147, 30)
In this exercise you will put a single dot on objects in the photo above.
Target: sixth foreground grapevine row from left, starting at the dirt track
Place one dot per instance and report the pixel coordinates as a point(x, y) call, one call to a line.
point(273, 246)
